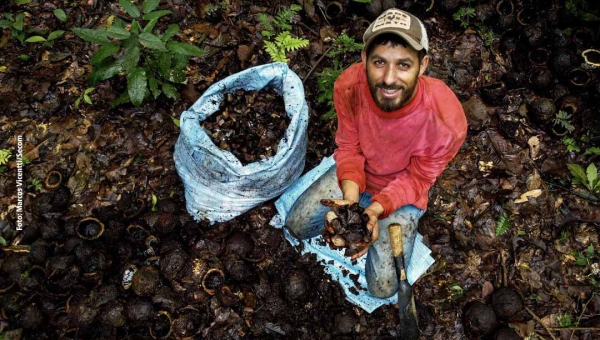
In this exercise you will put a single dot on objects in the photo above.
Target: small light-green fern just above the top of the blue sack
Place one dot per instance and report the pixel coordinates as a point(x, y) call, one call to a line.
point(278, 44)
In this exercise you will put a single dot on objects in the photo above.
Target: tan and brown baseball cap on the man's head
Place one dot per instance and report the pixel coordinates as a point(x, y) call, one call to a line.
point(401, 23)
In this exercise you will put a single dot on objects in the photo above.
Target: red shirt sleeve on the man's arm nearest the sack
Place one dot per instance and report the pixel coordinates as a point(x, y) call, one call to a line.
point(349, 159)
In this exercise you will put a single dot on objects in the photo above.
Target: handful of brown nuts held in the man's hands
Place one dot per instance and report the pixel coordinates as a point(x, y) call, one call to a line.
point(346, 227)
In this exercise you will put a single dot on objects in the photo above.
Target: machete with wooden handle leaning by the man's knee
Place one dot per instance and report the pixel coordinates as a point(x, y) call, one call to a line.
point(409, 330)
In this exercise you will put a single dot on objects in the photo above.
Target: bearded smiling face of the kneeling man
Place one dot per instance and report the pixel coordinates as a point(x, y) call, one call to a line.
point(392, 73)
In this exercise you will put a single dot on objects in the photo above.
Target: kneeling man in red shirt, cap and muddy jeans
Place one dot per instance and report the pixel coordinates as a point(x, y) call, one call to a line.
point(397, 131)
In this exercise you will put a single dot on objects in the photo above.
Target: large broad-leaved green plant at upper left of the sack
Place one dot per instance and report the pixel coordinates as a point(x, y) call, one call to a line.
point(150, 61)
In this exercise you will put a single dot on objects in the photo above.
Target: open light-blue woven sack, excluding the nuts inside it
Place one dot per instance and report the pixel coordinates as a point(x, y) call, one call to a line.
point(217, 186)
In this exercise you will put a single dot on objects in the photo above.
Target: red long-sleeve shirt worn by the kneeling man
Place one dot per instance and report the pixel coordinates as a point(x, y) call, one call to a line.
point(396, 156)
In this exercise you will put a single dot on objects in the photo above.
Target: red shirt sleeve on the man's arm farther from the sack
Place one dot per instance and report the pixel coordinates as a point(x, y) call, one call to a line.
point(416, 180)
